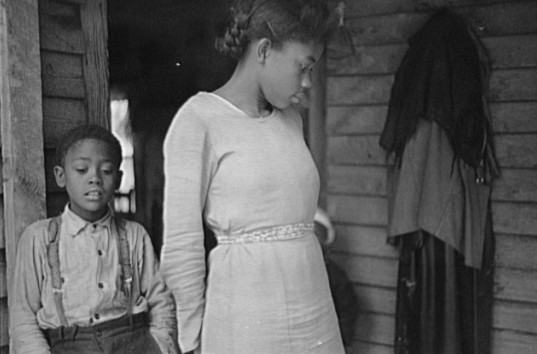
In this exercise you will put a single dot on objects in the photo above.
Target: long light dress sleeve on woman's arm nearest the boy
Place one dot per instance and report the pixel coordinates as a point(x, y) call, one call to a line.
point(188, 165)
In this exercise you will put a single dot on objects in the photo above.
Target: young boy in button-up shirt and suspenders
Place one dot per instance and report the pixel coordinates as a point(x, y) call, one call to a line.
point(87, 281)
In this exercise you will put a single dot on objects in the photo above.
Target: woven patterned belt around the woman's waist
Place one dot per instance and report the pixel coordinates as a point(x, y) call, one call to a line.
point(277, 233)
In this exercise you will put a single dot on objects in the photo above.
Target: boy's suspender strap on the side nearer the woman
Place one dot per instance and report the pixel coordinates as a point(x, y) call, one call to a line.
point(124, 260)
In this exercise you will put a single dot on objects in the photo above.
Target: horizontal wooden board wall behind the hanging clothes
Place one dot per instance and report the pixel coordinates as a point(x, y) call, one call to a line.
point(357, 95)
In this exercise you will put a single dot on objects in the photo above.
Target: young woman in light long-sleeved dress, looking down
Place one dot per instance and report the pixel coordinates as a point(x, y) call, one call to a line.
point(236, 159)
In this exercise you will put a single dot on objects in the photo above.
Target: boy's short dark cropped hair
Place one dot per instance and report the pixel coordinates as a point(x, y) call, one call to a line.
point(83, 132)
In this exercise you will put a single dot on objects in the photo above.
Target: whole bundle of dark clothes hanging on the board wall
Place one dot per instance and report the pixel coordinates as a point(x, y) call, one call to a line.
point(439, 213)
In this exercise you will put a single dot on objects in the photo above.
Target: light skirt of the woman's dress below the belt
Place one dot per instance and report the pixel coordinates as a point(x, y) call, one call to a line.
point(269, 297)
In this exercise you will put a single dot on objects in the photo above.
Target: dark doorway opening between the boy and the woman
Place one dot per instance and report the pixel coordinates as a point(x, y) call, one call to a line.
point(161, 52)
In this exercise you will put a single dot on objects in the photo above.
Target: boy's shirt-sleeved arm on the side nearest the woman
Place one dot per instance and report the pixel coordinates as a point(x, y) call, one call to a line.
point(162, 316)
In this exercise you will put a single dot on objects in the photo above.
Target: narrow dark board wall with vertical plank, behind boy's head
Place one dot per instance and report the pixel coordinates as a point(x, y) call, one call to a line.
point(73, 41)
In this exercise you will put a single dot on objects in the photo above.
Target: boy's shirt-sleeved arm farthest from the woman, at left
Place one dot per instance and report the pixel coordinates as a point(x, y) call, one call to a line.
point(25, 298)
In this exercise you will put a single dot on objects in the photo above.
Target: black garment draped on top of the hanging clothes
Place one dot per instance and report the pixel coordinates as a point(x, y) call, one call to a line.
point(440, 78)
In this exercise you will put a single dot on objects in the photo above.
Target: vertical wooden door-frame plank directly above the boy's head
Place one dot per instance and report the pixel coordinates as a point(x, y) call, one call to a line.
point(94, 19)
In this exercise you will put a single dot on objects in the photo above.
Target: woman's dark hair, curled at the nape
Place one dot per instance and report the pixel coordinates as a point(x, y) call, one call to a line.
point(280, 21)
